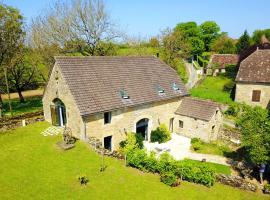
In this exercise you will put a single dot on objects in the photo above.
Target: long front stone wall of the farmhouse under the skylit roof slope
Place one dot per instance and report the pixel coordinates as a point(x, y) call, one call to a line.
point(125, 120)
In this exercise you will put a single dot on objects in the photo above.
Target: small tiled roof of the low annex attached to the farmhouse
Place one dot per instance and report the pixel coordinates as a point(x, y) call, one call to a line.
point(197, 108)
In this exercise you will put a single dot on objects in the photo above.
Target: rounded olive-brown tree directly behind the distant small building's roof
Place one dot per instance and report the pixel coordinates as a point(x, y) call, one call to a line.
point(224, 45)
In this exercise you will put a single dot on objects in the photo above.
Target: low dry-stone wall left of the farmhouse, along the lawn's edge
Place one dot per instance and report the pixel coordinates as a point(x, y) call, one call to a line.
point(7, 123)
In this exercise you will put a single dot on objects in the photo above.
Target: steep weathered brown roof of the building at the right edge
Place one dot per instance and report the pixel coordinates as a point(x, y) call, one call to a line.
point(255, 68)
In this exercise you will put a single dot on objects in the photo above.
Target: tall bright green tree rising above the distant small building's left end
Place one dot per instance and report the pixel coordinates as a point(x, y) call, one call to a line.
point(210, 32)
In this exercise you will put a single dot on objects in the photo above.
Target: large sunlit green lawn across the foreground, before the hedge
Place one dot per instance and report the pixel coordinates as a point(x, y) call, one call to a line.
point(32, 167)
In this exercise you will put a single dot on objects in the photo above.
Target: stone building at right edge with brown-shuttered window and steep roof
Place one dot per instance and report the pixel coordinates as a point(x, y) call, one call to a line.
point(253, 79)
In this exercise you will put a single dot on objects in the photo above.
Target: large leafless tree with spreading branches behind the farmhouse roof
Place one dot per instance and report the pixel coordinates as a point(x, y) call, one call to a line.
point(77, 20)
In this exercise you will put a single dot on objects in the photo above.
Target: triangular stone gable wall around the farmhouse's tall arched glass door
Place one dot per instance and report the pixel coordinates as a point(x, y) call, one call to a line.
point(57, 88)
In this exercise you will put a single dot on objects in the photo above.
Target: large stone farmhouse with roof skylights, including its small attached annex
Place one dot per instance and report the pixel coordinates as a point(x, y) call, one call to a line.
point(106, 97)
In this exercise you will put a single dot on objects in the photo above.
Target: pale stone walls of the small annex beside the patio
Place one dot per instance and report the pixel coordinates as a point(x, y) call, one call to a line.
point(199, 128)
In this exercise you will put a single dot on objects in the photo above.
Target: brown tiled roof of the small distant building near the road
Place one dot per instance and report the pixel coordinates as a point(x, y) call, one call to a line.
point(223, 60)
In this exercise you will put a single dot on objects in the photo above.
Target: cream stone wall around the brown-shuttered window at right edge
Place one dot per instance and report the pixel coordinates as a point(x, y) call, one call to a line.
point(244, 93)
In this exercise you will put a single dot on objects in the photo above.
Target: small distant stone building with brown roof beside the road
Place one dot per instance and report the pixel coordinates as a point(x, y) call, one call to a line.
point(219, 62)
